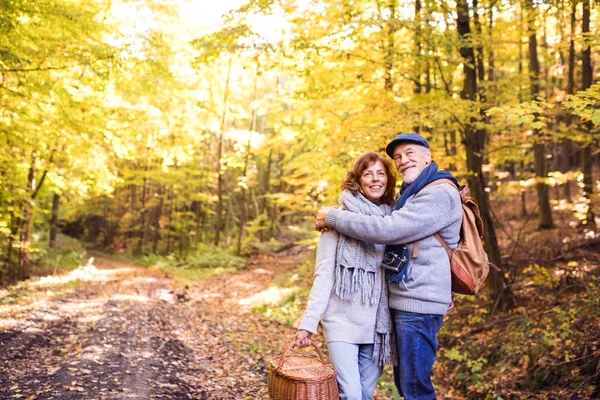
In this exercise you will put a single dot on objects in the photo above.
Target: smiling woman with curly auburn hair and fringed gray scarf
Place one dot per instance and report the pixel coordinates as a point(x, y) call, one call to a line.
point(349, 293)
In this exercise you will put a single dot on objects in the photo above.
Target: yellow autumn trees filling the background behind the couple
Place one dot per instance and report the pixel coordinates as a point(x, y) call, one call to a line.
point(144, 129)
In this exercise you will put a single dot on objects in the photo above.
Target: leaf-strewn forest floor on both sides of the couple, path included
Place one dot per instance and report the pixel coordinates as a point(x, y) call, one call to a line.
point(113, 330)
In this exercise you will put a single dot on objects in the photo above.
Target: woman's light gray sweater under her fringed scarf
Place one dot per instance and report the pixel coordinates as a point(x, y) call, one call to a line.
point(343, 320)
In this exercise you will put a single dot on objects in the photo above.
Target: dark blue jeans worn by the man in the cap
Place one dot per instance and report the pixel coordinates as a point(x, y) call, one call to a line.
point(416, 338)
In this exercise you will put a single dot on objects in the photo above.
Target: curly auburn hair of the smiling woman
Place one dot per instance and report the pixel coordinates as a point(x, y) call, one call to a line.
point(351, 181)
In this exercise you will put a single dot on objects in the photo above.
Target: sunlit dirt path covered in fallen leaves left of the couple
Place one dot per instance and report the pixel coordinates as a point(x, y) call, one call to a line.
point(115, 331)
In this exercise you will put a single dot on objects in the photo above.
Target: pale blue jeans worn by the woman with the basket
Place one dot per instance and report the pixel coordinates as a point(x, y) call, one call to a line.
point(357, 369)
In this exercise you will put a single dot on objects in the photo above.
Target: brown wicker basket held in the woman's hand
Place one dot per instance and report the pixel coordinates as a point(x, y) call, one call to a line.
point(302, 378)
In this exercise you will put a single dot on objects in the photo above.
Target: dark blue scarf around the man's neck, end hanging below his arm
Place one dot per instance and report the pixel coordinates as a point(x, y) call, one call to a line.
point(428, 175)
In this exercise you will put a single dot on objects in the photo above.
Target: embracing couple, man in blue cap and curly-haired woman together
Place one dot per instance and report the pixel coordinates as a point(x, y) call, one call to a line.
point(372, 315)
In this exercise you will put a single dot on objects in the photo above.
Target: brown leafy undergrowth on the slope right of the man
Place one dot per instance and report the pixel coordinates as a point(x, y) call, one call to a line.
point(547, 347)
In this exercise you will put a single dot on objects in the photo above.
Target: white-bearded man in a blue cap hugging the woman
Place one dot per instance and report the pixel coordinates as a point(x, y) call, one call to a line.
point(418, 269)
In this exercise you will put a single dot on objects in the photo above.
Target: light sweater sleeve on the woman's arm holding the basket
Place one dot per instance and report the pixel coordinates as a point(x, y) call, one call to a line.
point(324, 280)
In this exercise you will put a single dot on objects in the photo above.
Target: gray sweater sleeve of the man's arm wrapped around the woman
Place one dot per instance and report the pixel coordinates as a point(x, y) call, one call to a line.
point(428, 212)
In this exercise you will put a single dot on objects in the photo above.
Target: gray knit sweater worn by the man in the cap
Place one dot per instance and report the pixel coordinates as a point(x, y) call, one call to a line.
point(436, 208)
